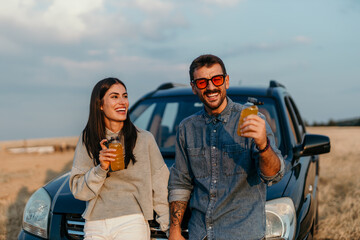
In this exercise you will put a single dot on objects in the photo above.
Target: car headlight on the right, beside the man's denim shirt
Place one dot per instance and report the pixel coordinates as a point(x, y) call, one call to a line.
point(280, 219)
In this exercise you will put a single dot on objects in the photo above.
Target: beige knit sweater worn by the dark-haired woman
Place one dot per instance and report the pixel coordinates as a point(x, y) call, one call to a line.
point(141, 188)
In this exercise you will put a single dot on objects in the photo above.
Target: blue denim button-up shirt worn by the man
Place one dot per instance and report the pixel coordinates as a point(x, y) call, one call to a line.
point(219, 172)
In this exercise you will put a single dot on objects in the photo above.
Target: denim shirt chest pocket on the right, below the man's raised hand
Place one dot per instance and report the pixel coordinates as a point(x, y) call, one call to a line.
point(235, 159)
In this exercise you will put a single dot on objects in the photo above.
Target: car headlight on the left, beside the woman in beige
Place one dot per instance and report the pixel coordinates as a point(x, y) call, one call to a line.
point(36, 213)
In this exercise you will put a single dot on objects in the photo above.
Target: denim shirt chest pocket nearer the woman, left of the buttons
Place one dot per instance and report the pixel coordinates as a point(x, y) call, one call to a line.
point(198, 162)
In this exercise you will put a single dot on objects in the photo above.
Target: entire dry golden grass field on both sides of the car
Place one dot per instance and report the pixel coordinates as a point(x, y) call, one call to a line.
point(339, 207)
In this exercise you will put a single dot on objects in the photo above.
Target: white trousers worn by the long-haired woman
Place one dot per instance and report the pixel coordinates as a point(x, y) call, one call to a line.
point(133, 227)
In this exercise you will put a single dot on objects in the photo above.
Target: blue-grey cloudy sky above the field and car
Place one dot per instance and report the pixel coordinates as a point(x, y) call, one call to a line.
point(52, 53)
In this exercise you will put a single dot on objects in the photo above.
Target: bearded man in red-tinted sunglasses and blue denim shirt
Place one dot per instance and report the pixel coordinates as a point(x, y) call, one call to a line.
point(223, 174)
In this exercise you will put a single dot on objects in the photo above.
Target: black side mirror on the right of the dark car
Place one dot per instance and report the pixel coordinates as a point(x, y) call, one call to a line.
point(313, 144)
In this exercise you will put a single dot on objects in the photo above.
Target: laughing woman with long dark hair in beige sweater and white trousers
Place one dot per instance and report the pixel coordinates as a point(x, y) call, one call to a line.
point(118, 203)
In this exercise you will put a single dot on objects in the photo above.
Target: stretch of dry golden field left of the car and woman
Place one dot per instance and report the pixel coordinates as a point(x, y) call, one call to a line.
point(21, 174)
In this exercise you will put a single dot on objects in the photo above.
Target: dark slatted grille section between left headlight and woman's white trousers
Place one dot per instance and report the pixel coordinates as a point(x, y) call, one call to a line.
point(75, 226)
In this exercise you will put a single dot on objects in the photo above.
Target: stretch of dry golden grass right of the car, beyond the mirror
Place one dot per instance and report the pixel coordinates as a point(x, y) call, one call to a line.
point(339, 193)
